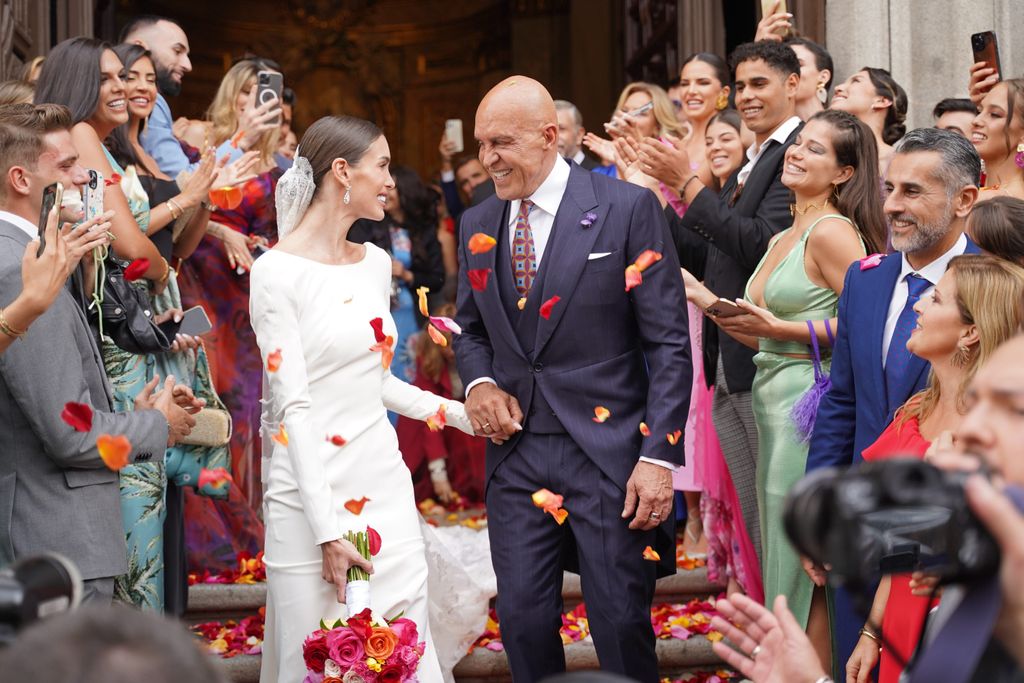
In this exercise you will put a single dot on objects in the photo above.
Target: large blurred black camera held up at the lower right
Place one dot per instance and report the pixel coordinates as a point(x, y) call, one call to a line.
point(891, 517)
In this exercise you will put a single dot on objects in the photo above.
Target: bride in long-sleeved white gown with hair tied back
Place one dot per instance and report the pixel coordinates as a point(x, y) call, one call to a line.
point(313, 300)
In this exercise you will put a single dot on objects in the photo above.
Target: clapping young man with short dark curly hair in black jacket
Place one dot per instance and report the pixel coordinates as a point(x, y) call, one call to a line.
point(722, 237)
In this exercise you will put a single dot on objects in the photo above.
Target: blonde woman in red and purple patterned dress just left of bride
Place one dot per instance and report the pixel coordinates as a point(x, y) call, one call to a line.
point(217, 276)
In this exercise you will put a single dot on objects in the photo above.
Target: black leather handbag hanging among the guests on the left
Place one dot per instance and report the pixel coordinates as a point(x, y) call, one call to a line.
point(127, 314)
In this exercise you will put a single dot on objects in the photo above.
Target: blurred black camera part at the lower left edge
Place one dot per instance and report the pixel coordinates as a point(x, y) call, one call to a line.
point(35, 588)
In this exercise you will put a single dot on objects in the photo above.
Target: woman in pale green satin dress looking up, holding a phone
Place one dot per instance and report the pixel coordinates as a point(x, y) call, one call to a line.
point(833, 172)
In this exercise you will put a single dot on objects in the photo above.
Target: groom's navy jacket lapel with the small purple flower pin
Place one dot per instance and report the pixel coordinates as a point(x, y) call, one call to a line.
point(567, 251)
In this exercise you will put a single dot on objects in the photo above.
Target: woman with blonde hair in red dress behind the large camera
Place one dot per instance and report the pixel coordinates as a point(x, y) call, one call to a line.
point(974, 309)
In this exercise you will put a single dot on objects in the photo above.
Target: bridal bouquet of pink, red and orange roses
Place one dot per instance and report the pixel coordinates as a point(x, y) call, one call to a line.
point(361, 651)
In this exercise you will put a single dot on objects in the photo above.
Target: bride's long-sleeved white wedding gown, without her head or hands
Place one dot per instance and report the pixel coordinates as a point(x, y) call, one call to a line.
point(330, 383)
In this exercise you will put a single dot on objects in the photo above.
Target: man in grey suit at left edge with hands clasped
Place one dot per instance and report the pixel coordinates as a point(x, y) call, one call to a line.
point(57, 495)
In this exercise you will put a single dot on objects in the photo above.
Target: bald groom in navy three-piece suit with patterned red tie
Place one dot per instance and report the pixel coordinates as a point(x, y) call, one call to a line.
point(548, 326)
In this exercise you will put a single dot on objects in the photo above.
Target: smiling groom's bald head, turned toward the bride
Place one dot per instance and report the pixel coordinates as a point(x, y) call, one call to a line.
point(518, 131)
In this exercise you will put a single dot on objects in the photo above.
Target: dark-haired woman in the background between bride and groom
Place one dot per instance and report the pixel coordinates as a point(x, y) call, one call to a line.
point(409, 234)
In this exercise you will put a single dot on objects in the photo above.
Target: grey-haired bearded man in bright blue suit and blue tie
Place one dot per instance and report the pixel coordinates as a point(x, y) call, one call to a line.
point(931, 186)
